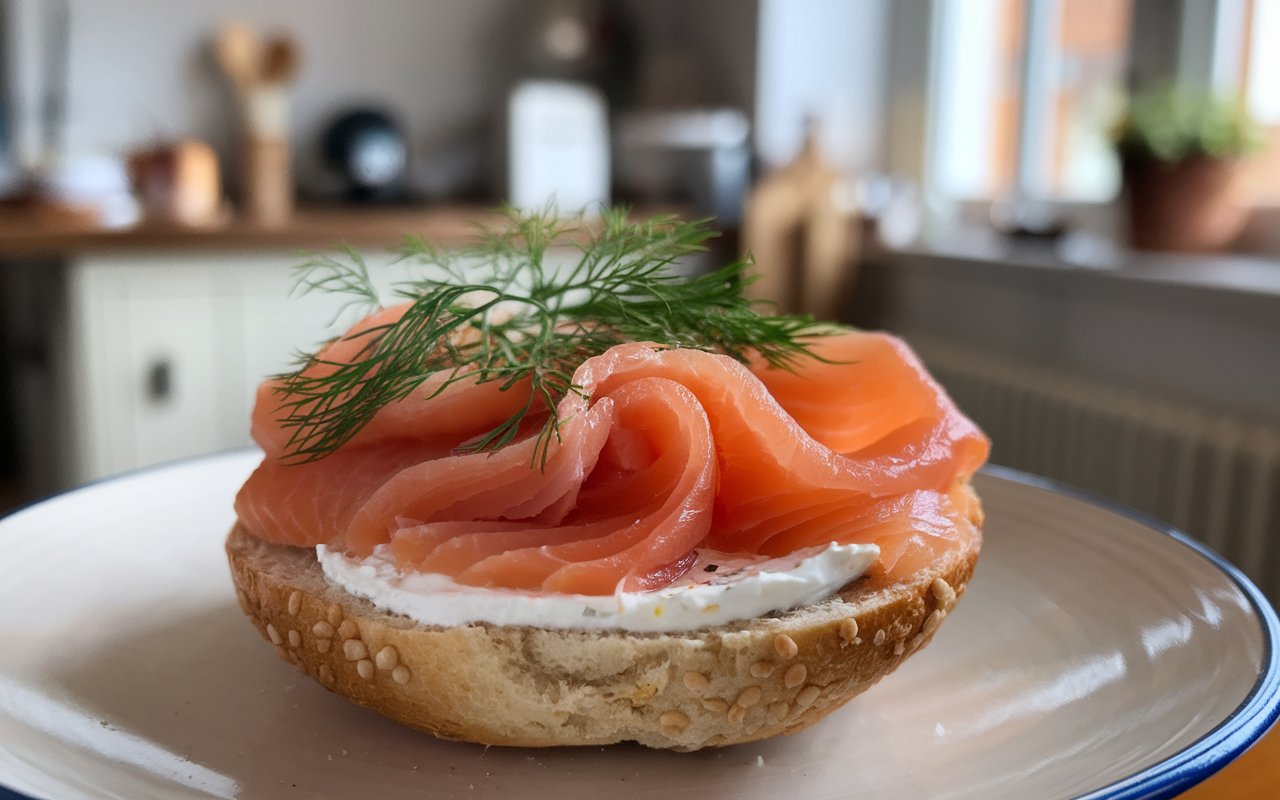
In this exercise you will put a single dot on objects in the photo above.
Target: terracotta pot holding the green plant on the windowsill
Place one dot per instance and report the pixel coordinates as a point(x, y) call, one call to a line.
point(1192, 205)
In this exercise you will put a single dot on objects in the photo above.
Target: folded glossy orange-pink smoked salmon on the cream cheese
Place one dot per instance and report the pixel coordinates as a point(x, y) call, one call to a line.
point(661, 452)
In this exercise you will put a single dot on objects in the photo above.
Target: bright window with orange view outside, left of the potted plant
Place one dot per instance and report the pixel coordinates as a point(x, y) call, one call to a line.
point(1026, 94)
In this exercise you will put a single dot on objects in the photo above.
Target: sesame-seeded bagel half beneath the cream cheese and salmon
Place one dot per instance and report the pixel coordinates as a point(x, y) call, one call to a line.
point(528, 687)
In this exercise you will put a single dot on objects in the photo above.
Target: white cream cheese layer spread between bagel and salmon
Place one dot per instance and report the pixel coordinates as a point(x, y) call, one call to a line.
point(720, 588)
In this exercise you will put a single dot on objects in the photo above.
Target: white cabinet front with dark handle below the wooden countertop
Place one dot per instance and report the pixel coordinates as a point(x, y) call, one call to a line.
point(166, 353)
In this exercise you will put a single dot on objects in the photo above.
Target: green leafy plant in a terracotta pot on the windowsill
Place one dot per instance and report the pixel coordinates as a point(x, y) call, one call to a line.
point(1181, 156)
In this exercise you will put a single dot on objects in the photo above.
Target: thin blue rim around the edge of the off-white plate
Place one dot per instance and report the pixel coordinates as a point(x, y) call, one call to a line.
point(1256, 715)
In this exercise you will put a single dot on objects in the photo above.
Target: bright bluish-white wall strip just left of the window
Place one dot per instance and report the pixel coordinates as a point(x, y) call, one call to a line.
point(826, 60)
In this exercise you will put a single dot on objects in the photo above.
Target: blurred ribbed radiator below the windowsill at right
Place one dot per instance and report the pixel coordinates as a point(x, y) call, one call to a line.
point(1209, 476)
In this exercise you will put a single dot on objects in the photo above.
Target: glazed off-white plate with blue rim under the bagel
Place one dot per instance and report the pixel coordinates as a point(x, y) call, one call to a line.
point(1095, 655)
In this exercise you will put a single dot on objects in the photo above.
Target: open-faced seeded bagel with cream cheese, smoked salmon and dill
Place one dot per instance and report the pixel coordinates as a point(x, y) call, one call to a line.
point(523, 506)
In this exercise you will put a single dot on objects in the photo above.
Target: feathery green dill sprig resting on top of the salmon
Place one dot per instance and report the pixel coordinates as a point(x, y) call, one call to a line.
point(497, 310)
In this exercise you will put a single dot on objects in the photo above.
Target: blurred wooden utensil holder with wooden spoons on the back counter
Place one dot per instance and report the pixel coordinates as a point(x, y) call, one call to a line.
point(262, 75)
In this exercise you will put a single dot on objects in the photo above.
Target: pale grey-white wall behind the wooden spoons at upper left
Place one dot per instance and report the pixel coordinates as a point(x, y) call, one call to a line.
point(144, 68)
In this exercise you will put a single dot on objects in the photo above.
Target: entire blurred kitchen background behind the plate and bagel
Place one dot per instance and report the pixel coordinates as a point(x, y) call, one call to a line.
point(1068, 207)
